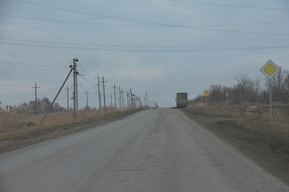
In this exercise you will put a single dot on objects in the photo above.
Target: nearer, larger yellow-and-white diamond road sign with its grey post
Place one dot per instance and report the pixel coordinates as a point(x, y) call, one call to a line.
point(270, 69)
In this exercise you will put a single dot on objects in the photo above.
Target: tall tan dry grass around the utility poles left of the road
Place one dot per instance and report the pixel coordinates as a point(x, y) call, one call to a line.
point(14, 123)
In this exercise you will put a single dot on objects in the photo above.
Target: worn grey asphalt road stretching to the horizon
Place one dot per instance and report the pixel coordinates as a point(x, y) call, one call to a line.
point(152, 150)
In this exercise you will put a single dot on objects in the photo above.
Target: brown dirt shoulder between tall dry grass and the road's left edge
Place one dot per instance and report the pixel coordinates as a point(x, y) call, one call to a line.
point(39, 135)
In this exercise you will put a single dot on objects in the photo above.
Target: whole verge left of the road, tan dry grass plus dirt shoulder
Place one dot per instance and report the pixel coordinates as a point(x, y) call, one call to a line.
point(19, 129)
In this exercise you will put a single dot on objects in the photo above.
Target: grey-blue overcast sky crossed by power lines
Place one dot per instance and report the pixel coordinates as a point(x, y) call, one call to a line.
point(156, 46)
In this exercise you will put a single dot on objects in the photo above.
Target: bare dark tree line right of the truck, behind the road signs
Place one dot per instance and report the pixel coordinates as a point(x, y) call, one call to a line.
point(249, 90)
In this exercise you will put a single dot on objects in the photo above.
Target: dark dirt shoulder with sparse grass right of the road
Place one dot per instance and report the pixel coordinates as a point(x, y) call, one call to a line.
point(269, 150)
